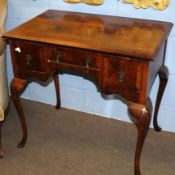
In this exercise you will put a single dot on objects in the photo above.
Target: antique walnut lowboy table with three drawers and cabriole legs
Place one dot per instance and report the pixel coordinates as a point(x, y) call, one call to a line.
point(122, 55)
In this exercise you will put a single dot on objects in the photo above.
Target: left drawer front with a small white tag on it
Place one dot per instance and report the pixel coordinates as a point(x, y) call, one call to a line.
point(28, 58)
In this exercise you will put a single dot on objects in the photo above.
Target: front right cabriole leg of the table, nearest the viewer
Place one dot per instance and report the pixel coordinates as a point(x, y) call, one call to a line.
point(141, 114)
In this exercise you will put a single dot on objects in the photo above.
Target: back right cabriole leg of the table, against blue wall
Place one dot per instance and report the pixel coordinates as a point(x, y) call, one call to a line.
point(163, 76)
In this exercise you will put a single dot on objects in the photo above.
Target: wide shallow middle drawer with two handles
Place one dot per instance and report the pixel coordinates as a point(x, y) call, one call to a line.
point(60, 55)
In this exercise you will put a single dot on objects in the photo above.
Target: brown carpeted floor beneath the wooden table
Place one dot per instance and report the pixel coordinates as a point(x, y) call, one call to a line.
point(67, 142)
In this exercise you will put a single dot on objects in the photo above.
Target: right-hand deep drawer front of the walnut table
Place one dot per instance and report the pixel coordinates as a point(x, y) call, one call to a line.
point(122, 76)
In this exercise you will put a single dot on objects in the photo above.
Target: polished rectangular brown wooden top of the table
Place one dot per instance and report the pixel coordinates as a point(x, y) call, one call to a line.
point(117, 35)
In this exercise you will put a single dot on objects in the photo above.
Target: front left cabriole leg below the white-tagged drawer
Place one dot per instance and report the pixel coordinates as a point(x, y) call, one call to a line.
point(17, 87)
